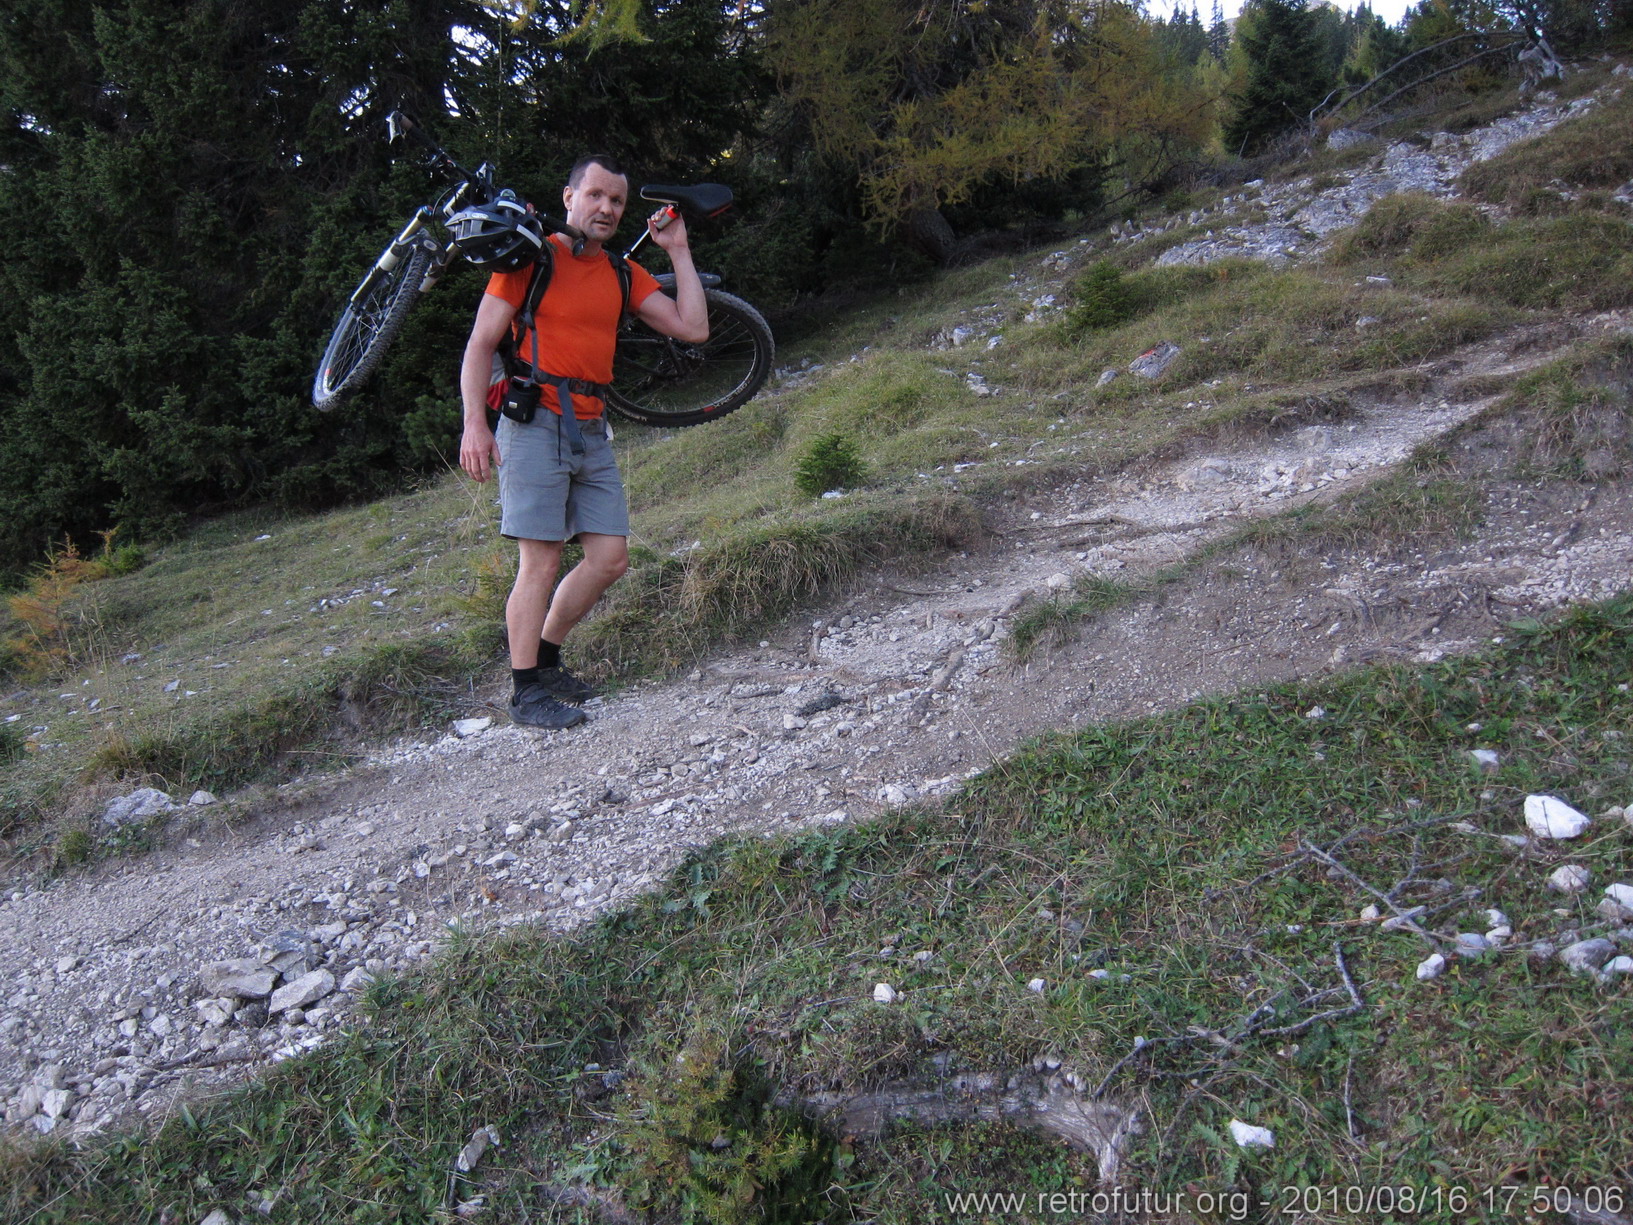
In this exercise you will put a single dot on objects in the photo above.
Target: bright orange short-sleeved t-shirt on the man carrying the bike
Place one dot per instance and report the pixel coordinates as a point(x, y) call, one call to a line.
point(577, 318)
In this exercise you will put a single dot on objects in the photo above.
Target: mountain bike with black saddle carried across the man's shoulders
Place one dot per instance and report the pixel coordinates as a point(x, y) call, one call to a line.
point(656, 380)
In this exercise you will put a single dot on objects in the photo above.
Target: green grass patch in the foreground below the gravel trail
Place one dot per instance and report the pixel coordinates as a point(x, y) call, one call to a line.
point(1198, 961)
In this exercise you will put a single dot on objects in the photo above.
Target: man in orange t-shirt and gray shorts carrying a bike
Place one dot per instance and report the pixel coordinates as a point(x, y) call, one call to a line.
point(558, 476)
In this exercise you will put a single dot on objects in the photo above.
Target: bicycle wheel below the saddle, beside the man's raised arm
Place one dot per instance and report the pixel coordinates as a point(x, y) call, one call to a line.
point(670, 383)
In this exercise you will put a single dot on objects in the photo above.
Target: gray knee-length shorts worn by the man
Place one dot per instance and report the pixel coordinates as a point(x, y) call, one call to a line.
point(548, 492)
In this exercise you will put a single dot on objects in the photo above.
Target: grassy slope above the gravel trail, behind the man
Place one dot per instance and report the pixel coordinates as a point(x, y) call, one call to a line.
point(269, 674)
